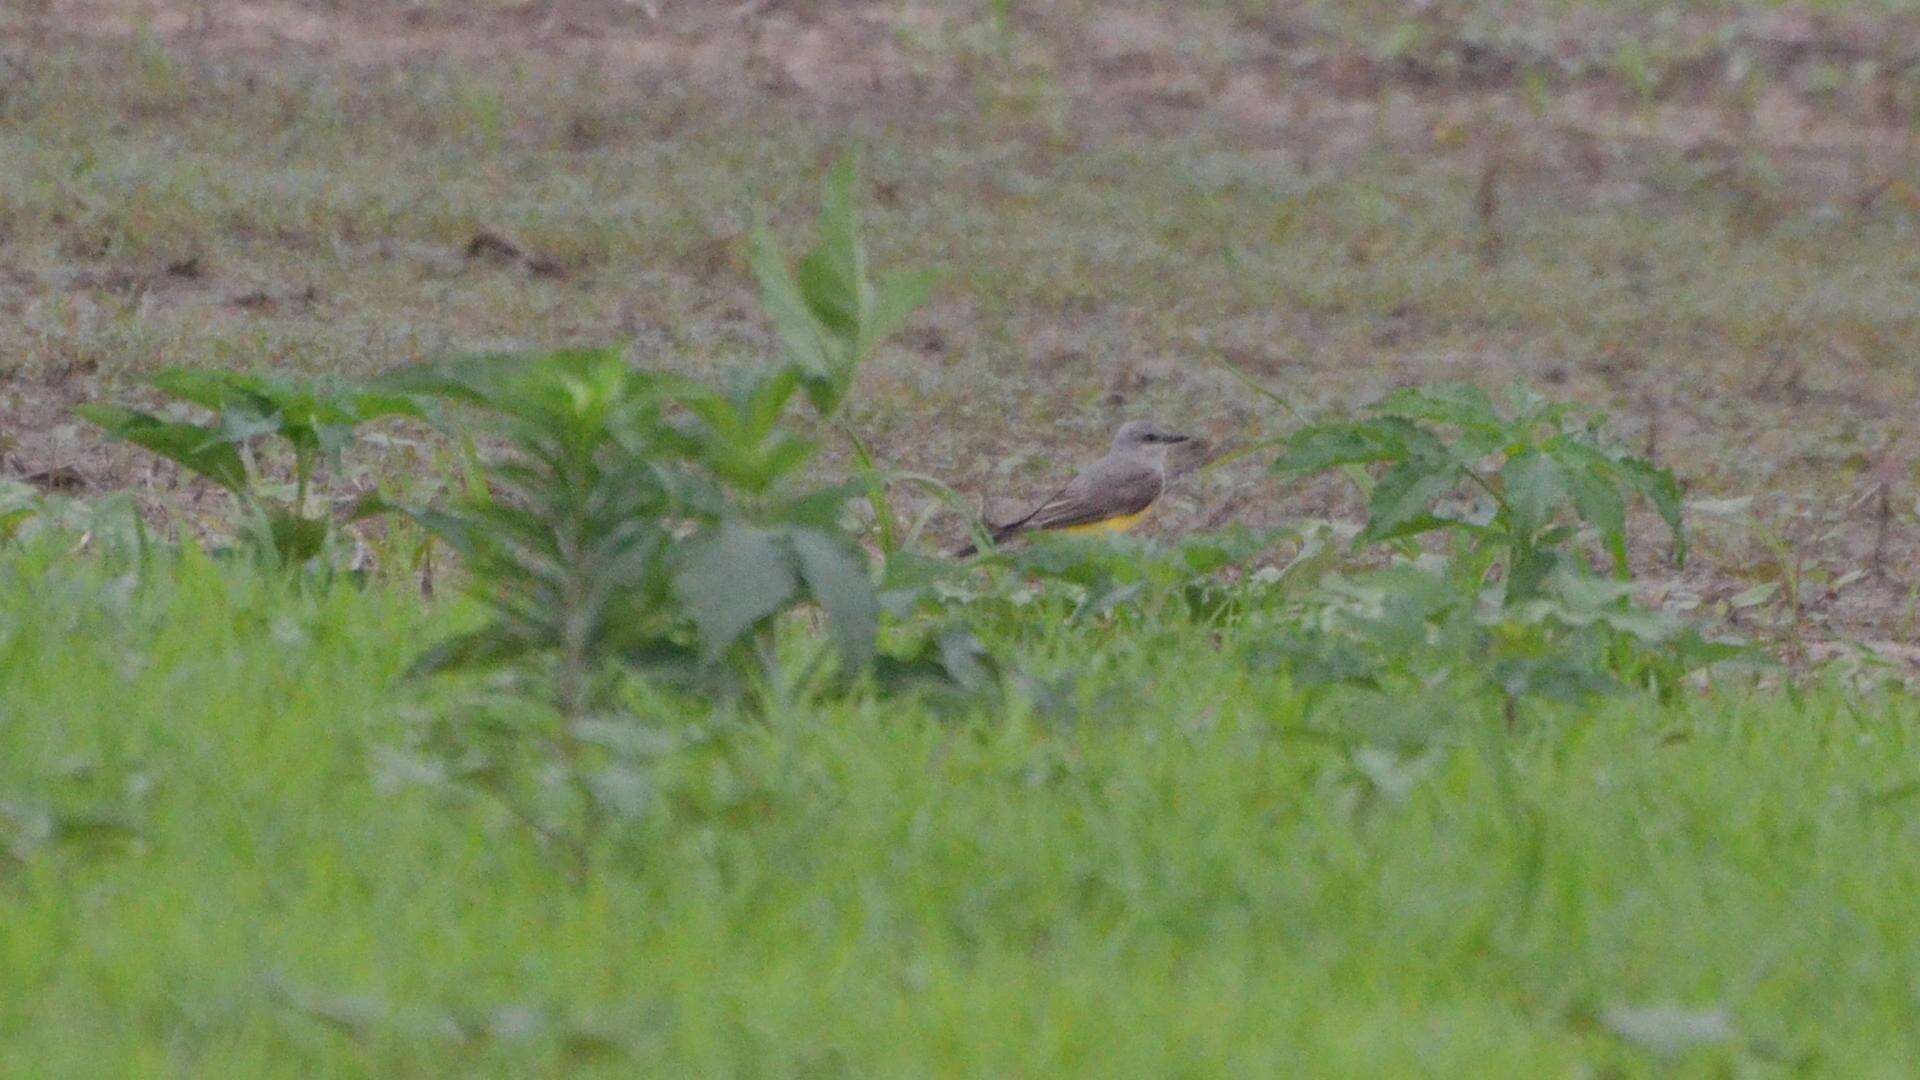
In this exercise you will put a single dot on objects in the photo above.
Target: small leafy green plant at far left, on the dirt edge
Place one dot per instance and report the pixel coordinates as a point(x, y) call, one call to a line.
point(312, 422)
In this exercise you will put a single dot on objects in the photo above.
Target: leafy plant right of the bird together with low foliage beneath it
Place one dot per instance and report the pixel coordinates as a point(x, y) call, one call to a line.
point(1527, 493)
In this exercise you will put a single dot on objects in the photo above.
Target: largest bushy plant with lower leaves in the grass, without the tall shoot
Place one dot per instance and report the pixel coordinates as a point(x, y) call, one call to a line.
point(633, 526)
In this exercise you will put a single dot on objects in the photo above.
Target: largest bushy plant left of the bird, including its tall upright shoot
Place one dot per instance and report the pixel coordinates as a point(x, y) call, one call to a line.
point(660, 528)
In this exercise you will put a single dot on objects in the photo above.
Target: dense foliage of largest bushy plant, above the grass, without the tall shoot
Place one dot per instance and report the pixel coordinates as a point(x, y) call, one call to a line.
point(642, 520)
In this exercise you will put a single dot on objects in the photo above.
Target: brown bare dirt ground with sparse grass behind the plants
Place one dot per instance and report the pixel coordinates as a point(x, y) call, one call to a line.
point(1702, 220)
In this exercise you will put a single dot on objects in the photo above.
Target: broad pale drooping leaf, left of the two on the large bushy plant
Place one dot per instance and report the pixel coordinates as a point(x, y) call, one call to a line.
point(731, 579)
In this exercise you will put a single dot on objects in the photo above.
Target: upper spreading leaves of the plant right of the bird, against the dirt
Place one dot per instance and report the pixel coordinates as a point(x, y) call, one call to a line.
point(1522, 491)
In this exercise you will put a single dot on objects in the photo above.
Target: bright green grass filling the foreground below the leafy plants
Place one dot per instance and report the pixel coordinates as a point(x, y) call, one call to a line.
point(1161, 873)
